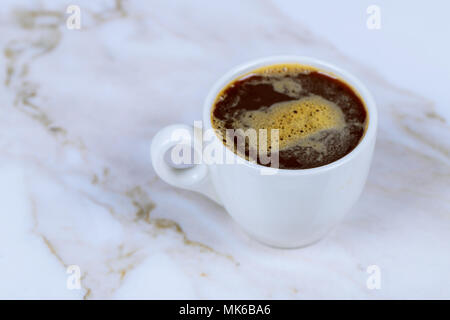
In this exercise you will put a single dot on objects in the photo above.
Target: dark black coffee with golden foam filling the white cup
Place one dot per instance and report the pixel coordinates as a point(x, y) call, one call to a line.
point(320, 118)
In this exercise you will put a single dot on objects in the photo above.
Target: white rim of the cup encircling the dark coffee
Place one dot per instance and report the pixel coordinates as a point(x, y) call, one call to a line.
point(327, 68)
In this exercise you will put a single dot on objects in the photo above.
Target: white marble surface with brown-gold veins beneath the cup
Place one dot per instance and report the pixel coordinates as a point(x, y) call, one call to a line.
point(79, 109)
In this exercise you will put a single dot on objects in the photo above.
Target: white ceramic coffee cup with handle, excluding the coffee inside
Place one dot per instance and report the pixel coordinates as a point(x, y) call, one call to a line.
point(288, 209)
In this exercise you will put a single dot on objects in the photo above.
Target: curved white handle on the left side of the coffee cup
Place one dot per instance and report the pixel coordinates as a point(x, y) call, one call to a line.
point(196, 178)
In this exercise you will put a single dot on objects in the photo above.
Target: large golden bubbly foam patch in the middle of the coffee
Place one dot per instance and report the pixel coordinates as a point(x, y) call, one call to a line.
point(296, 120)
